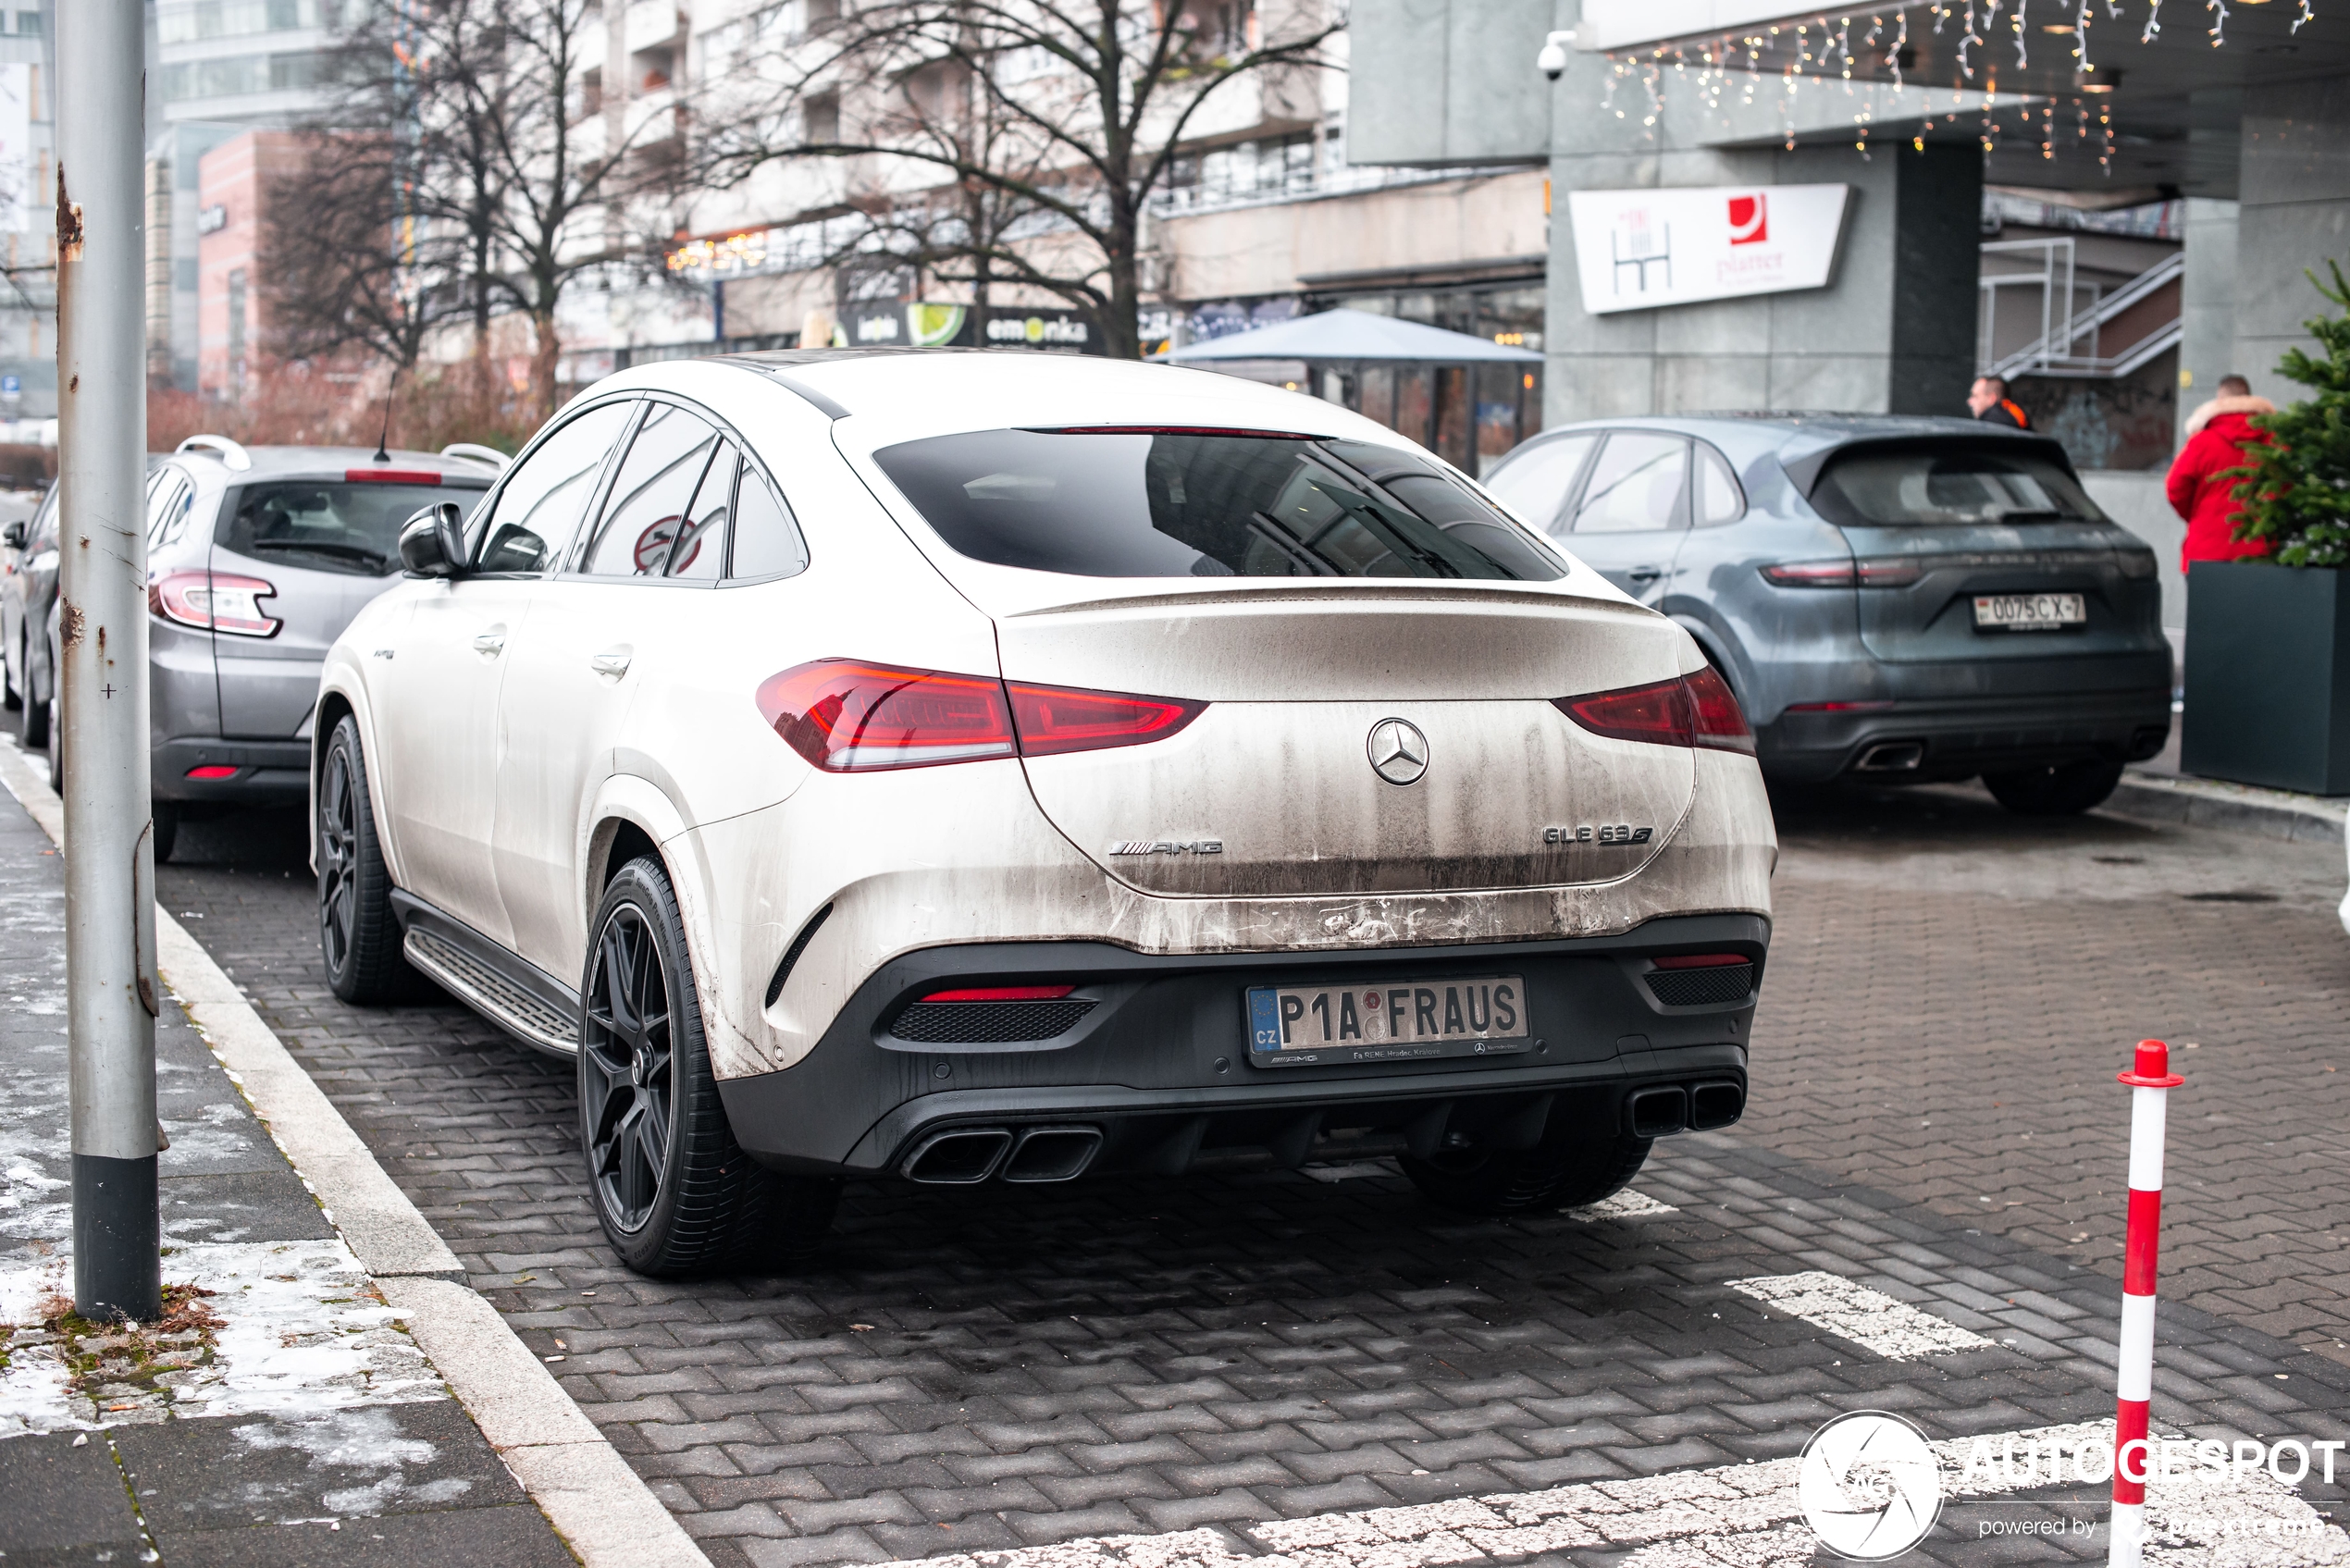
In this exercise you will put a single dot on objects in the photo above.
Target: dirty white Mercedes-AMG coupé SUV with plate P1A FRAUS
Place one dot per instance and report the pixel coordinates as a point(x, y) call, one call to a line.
point(981, 768)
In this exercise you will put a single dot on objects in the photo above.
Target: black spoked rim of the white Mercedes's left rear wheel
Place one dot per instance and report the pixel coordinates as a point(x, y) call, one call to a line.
point(629, 1071)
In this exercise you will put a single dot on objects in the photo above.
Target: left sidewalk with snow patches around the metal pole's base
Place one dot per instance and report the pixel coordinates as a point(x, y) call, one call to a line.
point(276, 1414)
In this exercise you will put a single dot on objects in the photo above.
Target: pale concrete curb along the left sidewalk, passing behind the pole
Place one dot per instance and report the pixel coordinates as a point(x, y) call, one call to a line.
point(603, 1510)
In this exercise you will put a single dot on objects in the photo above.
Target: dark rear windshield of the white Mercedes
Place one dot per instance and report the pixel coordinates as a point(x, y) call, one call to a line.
point(1204, 504)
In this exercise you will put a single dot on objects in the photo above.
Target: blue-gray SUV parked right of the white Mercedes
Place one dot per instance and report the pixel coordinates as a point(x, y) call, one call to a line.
point(1891, 598)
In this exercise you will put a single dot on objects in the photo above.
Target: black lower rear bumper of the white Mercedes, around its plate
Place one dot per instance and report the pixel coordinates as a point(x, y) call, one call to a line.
point(1160, 1071)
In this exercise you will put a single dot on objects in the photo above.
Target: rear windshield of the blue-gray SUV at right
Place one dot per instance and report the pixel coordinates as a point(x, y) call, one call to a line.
point(1954, 483)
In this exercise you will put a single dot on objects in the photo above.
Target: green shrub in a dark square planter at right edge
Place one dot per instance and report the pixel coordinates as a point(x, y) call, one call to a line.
point(2269, 638)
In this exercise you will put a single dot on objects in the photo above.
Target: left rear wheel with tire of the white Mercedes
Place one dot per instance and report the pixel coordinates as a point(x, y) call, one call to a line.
point(669, 1181)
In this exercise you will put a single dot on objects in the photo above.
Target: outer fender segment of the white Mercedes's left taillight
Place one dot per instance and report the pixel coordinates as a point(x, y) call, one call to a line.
point(854, 718)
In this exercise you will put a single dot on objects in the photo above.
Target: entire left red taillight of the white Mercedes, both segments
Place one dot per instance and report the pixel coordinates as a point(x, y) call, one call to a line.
point(854, 718)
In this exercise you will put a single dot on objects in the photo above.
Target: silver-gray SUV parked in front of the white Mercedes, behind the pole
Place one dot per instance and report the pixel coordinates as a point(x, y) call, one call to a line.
point(257, 561)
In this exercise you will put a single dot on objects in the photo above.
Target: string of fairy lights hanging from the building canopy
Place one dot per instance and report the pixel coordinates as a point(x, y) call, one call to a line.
point(1822, 55)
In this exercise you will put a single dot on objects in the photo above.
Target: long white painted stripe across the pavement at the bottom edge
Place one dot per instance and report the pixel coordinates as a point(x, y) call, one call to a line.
point(1726, 1517)
